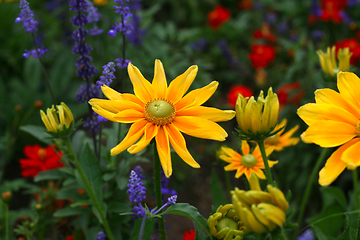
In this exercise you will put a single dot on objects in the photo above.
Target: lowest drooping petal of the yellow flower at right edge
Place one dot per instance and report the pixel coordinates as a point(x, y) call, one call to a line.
point(334, 166)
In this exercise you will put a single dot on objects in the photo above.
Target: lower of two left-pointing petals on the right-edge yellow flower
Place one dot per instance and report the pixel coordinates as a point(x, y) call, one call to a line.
point(329, 133)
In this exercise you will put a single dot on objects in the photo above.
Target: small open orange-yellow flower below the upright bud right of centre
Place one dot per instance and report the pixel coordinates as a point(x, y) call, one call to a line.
point(246, 163)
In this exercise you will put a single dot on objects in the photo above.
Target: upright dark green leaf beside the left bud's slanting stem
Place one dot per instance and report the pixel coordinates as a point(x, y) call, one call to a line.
point(92, 170)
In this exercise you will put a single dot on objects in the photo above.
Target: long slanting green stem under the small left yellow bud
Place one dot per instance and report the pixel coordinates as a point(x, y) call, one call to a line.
point(88, 187)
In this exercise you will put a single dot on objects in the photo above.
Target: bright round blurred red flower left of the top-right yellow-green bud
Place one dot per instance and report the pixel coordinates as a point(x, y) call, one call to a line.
point(261, 55)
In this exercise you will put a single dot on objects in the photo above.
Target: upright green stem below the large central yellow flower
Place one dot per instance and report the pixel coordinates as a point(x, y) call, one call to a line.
point(157, 183)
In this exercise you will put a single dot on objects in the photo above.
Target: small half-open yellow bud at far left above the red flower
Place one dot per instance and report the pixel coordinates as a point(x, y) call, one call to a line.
point(56, 124)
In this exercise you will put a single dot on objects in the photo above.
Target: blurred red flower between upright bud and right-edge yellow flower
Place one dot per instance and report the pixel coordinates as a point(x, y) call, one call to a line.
point(290, 93)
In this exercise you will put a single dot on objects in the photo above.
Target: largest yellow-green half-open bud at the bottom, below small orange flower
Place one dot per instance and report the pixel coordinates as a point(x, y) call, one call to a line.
point(258, 210)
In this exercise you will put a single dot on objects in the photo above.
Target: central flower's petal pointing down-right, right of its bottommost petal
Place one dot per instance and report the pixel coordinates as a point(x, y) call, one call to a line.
point(177, 141)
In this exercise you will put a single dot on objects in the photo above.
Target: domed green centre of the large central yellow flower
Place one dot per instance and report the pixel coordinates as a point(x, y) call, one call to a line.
point(159, 111)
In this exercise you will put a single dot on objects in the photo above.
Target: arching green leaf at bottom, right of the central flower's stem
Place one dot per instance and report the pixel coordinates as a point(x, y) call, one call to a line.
point(185, 209)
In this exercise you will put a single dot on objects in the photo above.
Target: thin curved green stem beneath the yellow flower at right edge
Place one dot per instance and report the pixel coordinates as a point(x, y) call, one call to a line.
point(307, 190)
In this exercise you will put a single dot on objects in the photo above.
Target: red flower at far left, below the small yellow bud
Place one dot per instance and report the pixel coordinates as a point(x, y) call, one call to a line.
point(39, 159)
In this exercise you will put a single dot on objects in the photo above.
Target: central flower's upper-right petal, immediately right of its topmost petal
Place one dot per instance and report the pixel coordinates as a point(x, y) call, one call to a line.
point(181, 84)
